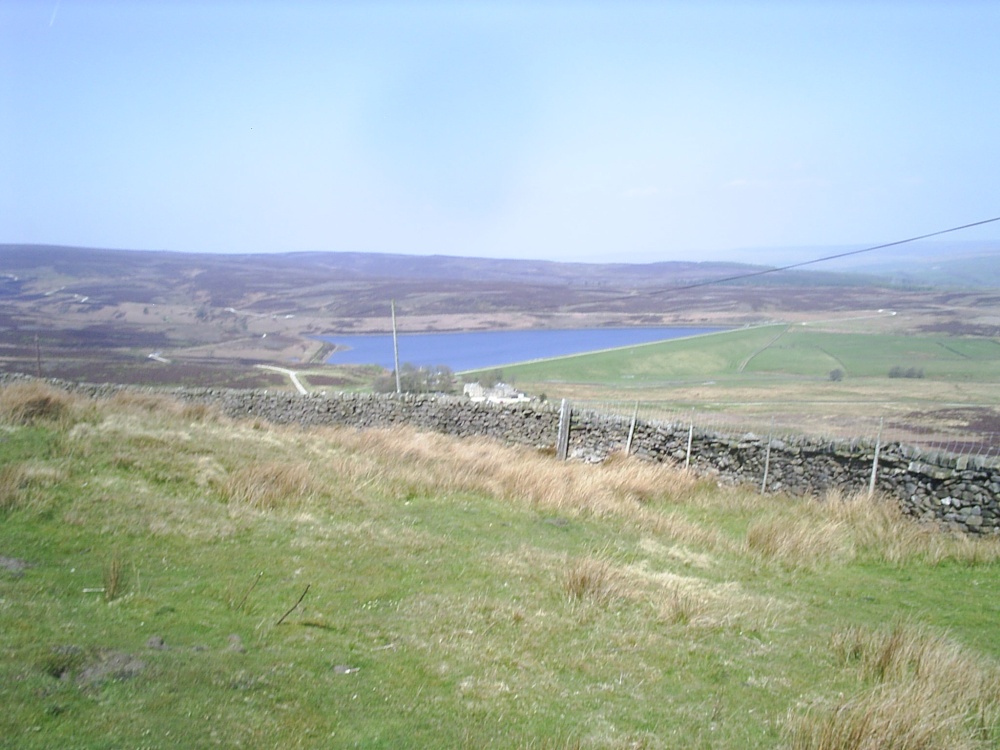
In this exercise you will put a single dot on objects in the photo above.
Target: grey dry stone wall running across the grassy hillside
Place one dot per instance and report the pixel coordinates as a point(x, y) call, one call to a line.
point(960, 492)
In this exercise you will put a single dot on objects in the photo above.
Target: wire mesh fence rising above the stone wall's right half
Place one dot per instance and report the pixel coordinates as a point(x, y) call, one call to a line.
point(735, 419)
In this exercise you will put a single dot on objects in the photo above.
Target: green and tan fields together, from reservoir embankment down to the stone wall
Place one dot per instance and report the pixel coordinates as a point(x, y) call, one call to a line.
point(779, 376)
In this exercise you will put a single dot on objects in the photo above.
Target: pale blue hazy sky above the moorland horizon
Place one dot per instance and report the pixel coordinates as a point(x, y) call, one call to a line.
point(579, 130)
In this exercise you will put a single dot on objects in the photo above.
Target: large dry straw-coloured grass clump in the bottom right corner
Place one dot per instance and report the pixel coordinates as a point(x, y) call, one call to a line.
point(928, 693)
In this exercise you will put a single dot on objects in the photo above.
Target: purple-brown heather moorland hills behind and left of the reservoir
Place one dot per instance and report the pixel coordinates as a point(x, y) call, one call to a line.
point(98, 314)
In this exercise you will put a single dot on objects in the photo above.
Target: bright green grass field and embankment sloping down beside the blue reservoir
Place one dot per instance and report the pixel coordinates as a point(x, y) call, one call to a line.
point(747, 354)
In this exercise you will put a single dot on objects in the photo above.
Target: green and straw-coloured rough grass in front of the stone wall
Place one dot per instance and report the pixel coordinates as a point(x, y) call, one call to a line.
point(169, 578)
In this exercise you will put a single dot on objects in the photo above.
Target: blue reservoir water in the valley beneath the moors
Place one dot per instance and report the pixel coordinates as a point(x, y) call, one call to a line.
point(481, 349)
